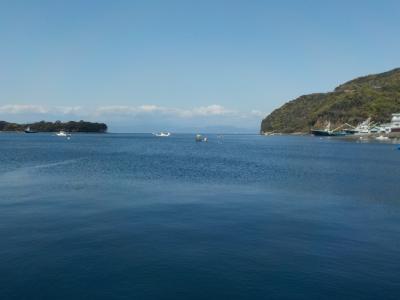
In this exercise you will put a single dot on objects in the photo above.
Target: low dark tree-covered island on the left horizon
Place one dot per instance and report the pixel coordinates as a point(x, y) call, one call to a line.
point(43, 126)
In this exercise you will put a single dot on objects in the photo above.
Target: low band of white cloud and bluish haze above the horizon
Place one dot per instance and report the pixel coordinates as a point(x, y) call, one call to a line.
point(143, 118)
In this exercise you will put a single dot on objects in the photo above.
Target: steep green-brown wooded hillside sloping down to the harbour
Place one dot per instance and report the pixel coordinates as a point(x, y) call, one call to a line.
point(376, 96)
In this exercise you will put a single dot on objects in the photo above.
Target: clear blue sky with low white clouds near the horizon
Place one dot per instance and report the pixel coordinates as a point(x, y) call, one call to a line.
point(144, 66)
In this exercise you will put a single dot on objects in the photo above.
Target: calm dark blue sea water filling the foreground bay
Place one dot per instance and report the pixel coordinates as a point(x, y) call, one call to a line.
point(242, 217)
